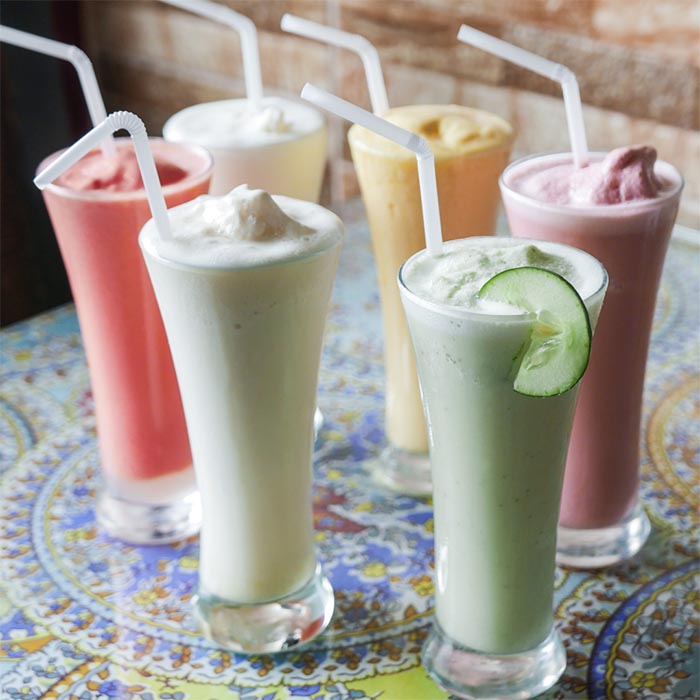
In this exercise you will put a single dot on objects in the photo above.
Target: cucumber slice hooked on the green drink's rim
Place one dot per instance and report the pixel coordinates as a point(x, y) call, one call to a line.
point(556, 356)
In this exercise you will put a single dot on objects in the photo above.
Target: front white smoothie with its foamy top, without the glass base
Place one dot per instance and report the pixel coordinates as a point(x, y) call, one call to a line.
point(243, 287)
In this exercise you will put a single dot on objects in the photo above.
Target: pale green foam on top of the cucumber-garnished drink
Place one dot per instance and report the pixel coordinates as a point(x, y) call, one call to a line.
point(455, 277)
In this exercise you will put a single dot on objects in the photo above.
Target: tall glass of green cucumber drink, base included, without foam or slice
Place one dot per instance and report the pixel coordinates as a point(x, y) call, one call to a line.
point(498, 463)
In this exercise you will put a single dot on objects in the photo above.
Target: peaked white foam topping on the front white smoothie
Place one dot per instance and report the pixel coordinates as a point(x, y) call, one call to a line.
point(245, 228)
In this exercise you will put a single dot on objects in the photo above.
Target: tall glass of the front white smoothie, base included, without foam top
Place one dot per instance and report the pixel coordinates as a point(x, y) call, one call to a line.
point(246, 342)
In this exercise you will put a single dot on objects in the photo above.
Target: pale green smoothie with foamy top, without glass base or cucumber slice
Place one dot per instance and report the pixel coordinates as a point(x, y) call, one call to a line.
point(497, 455)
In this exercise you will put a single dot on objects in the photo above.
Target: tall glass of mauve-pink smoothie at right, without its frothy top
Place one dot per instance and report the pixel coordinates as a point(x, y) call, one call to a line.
point(602, 521)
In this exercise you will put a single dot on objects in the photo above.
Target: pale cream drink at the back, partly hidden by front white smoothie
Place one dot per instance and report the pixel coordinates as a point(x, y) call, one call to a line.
point(279, 146)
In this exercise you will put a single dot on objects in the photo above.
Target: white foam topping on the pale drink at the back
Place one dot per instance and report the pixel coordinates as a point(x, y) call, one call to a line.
point(236, 123)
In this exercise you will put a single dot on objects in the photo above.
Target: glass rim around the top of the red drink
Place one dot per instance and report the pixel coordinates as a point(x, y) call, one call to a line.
point(190, 180)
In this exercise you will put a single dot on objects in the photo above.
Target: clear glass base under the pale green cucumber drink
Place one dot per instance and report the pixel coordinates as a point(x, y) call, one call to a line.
point(467, 673)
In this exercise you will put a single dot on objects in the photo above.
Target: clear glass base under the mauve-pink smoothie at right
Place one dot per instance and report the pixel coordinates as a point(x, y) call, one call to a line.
point(597, 548)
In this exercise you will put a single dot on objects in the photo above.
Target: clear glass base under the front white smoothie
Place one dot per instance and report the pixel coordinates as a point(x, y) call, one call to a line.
point(272, 626)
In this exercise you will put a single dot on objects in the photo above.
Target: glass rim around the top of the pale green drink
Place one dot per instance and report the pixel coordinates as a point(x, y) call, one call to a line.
point(468, 314)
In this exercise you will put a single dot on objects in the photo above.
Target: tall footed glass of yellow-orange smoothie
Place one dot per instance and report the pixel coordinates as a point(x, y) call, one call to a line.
point(471, 149)
